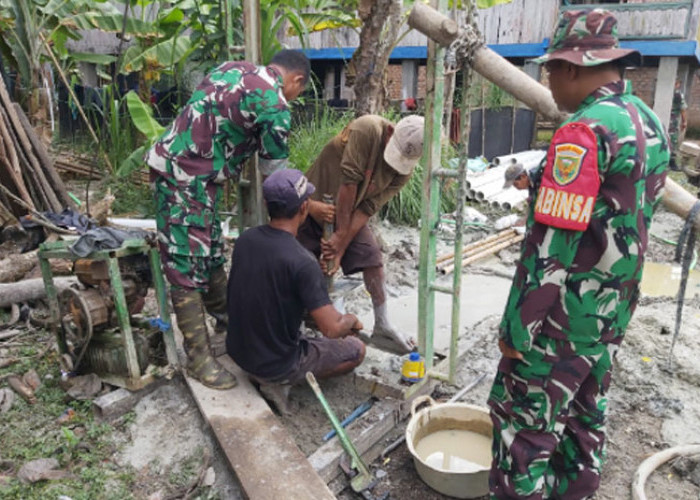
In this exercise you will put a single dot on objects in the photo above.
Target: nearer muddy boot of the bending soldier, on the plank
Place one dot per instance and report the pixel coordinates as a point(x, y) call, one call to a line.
point(201, 365)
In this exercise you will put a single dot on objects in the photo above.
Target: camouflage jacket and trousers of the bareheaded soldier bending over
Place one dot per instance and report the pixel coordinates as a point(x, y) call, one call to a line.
point(238, 109)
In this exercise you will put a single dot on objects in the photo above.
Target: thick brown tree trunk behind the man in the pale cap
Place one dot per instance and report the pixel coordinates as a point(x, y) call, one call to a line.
point(367, 70)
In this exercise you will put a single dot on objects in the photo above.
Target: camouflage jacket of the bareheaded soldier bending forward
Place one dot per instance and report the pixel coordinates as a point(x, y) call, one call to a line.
point(236, 110)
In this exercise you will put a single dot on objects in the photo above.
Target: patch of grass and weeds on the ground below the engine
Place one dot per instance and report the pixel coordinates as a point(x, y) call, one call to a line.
point(82, 446)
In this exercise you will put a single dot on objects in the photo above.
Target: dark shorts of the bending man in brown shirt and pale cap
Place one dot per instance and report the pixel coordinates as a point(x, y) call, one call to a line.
point(362, 252)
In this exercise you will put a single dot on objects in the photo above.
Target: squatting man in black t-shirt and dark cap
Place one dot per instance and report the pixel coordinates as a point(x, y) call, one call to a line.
point(273, 280)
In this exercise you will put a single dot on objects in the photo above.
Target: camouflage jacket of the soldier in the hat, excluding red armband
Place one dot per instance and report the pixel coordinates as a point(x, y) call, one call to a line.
point(583, 286)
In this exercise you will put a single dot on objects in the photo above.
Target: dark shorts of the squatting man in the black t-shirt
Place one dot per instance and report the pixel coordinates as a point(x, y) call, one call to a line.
point(320, 356)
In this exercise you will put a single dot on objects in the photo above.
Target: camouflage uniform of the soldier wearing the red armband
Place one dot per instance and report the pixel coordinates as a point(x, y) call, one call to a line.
point(572, 297)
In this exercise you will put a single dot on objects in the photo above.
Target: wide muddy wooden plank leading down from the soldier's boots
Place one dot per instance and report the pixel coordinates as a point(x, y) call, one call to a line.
point(264, 457)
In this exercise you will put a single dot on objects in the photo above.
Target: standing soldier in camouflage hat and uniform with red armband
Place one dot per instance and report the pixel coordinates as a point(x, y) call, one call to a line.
point(577, 279)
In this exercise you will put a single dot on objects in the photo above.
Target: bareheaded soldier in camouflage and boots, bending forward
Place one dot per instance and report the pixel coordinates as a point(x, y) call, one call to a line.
point(238, 109)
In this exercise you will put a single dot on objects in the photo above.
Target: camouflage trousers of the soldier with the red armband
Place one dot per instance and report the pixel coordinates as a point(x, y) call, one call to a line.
point(548, 414)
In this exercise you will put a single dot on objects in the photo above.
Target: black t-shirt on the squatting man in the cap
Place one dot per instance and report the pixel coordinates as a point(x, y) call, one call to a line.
point(273, 279)
